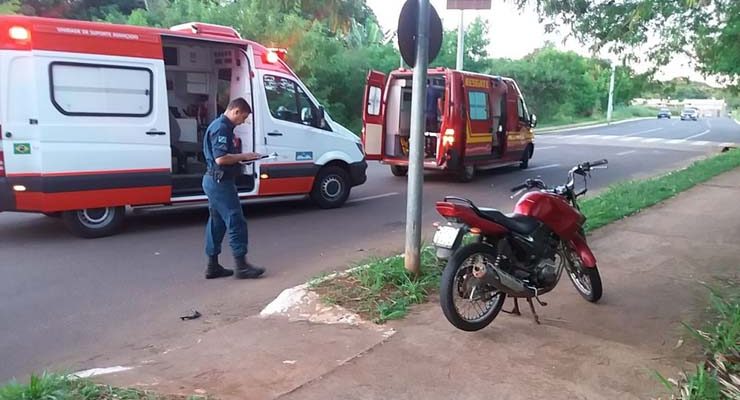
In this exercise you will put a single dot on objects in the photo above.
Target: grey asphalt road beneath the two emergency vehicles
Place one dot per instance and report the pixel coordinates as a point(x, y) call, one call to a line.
point(68, 301)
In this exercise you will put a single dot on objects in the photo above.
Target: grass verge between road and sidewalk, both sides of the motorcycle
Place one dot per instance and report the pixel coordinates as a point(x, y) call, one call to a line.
point(383, 290)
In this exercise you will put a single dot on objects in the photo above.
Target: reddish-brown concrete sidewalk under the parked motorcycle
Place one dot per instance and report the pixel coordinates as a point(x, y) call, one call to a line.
point(651, 264)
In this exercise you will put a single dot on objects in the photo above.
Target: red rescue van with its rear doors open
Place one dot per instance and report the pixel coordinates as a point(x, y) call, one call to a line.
point(472, 121)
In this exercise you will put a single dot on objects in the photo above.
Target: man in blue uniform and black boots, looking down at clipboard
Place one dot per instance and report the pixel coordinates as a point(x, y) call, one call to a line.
point(219, 183)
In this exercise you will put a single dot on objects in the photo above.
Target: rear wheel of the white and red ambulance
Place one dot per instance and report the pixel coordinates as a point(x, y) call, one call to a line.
point(94, 222)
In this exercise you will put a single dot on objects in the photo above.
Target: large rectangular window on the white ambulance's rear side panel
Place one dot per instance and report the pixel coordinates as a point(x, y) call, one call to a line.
point(101, 90)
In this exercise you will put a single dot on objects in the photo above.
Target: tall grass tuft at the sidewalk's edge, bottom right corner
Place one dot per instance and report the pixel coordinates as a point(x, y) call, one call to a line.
point(717, 378)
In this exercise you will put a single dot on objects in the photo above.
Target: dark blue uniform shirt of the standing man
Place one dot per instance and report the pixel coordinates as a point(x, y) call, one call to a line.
point(217, 142)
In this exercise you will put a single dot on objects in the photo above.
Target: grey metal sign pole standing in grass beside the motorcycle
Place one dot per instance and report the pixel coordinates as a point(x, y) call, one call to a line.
point(412, 259)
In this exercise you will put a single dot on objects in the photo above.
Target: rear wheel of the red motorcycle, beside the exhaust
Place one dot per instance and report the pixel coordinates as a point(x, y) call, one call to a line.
point(467, 303)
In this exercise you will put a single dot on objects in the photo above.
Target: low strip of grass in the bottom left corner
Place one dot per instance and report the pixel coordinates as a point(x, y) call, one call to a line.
point(49, 386)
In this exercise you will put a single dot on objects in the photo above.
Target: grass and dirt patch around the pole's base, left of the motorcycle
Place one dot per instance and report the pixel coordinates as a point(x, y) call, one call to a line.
point(382, 290)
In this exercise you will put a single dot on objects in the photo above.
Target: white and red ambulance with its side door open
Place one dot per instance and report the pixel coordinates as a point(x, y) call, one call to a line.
point(95, 118)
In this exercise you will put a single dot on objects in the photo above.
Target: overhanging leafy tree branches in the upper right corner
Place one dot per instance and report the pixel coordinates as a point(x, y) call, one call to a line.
point(708, 31)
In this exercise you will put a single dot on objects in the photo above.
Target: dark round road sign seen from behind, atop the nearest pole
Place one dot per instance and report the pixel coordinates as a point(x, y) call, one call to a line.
point(408, 24)
